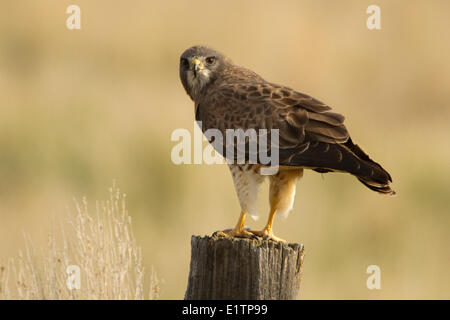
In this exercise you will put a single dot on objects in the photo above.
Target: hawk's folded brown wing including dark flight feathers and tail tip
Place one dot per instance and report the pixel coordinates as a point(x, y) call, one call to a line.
point(310, 135)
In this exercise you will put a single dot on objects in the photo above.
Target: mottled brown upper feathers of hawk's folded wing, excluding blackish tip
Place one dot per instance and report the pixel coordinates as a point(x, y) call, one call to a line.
point(300, 119)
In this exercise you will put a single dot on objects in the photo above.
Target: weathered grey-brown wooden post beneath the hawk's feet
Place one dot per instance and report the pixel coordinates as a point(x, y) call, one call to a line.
point(223, 268)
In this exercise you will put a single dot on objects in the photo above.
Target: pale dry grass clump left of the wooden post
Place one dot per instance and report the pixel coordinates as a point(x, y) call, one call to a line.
point(102, 246)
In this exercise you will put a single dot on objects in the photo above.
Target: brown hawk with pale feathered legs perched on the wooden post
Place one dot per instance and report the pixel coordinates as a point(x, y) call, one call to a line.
point(311, 136)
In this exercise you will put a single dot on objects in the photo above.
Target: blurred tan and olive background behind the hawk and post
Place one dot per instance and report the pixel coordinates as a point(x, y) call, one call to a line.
point(81, 108)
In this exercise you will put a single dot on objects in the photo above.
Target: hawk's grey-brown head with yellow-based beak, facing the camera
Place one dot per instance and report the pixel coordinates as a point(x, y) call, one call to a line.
point(199, 67)
